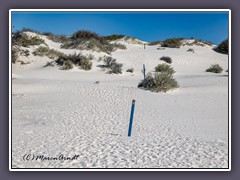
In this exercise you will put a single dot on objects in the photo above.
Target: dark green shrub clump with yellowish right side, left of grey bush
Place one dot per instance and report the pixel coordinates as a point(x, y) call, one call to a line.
point(78, 60)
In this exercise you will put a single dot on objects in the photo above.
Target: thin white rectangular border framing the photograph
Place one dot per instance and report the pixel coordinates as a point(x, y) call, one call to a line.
point(119, 10)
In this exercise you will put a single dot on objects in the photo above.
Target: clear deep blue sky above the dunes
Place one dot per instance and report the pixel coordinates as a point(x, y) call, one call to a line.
point(147, 26)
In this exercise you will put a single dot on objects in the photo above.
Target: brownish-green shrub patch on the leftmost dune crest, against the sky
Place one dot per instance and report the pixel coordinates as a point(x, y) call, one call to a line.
point(21, 39)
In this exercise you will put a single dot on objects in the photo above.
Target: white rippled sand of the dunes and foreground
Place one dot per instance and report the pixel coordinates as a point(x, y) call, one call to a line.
point(65, 112)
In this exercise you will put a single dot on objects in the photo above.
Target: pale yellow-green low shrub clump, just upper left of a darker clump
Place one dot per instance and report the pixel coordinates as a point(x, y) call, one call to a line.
point(46, 51)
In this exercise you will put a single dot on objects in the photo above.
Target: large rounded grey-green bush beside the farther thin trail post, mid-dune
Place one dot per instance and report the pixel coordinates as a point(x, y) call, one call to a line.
point(161, 81)
